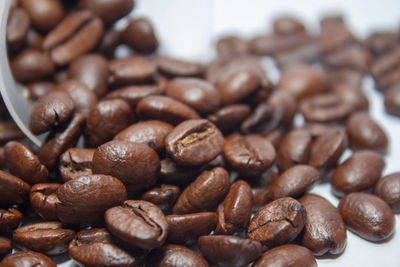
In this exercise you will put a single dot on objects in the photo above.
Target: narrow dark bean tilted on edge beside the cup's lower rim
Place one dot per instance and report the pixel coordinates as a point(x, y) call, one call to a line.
point(60, 140)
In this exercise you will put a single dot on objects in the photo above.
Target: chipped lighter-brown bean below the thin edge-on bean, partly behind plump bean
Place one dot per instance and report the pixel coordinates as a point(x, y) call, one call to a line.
point(76, 162)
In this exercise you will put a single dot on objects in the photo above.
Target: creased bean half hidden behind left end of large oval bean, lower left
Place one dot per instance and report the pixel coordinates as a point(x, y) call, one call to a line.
point(43, 199)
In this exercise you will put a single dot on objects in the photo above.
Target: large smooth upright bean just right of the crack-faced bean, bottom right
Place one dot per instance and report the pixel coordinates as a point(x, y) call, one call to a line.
point(324, 231)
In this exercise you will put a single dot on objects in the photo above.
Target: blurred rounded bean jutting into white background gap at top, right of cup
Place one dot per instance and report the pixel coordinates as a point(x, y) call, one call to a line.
point(140, 36)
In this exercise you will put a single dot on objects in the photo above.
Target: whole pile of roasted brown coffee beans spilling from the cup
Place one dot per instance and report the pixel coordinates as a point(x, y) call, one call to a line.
point(189, 164)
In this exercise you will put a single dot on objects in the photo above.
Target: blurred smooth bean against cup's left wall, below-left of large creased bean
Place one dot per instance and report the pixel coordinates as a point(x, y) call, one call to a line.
point(31, 65)
